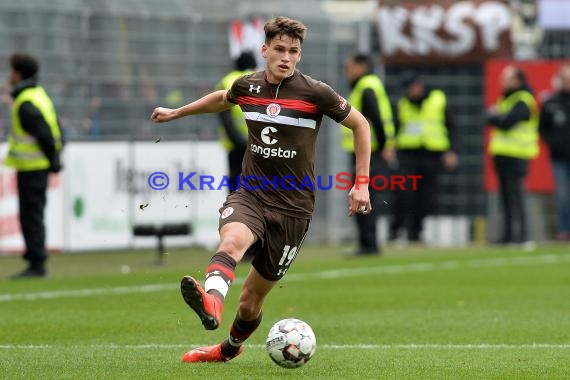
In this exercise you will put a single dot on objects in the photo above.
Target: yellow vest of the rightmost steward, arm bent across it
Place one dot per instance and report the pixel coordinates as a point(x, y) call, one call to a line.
point(520, 141)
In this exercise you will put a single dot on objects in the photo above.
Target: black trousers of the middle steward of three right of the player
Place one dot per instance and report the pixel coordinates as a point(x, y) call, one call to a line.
point(412, 206)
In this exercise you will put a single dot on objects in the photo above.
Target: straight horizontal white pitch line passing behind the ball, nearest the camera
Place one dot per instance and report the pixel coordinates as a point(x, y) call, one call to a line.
point(410, 346)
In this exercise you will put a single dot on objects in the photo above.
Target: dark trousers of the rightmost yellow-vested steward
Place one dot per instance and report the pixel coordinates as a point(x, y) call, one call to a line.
point(511, 173)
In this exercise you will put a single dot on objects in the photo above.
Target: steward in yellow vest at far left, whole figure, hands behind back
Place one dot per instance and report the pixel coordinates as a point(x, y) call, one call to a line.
point(34, 145)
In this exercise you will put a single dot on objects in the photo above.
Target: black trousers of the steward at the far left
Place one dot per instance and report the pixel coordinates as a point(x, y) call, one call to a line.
point(32, 193)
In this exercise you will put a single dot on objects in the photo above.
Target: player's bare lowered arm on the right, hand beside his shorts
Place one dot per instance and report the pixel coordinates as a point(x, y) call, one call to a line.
point(358, 197)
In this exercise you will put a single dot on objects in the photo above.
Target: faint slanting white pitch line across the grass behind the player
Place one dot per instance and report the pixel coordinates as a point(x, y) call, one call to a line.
point(293, 277)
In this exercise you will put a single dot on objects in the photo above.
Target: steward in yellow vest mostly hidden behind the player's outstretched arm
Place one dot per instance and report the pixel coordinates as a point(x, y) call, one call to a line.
point(234, 130)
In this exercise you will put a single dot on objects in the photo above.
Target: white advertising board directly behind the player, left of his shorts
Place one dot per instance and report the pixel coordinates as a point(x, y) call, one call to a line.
point(165, 167)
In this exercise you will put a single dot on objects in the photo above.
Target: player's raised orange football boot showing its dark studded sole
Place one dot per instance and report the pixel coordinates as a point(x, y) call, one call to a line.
point(207, 306)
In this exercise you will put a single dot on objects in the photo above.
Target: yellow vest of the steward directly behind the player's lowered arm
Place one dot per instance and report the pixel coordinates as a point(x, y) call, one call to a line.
point(355, 99)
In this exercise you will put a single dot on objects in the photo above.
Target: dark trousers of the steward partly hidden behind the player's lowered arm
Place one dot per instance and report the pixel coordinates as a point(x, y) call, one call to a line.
point(366, 223)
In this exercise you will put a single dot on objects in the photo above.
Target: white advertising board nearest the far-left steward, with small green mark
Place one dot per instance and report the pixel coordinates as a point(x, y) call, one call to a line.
point(96, 211)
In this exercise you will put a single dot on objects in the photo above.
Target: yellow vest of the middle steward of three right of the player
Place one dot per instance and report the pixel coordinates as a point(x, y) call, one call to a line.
point(423, 126)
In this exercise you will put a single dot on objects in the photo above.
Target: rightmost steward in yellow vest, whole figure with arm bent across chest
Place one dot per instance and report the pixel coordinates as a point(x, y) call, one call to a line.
point(514, 141)
